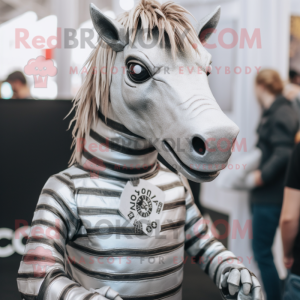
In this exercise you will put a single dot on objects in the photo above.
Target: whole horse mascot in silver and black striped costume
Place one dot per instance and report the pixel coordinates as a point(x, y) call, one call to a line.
point(116, 223)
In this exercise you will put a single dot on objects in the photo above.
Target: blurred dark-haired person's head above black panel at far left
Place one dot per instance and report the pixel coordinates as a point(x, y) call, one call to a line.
point(19, 85)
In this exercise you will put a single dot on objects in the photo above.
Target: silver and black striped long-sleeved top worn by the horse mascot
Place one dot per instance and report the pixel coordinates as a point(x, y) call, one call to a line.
point(79, 242)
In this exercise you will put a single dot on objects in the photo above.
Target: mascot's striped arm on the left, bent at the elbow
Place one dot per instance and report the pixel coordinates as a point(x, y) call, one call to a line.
point(42, 274)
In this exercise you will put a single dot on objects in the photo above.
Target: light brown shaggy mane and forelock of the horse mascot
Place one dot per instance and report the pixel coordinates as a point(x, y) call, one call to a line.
point(169, 18)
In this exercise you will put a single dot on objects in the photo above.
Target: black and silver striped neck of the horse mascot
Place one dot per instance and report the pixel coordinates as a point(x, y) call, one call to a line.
point(112, 150)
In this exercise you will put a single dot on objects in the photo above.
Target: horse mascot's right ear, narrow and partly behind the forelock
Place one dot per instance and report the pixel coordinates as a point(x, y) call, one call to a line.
point(208, 24)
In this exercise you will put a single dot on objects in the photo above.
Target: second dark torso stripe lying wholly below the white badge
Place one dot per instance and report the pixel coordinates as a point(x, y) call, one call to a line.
point(127, 276)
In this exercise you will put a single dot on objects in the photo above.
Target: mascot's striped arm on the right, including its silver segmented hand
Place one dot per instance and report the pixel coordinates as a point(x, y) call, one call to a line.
point(228, 273)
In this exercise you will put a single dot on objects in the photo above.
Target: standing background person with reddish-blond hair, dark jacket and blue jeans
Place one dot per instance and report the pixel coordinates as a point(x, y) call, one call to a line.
point(276, 132)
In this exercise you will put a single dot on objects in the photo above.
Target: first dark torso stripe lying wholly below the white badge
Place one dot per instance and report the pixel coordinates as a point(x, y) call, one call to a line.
point(126, 252)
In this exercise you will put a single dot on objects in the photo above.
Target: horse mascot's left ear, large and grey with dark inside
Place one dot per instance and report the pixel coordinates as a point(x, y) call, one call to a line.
point(111, 31)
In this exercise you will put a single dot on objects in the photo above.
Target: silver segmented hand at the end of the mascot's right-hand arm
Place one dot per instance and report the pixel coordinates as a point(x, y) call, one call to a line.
point(240, 284)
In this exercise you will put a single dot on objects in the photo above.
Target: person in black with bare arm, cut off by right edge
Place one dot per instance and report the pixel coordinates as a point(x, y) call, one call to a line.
point(289, 224)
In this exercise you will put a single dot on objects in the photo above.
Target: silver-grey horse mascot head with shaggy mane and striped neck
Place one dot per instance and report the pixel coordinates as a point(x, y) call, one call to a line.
point(148, 79)
